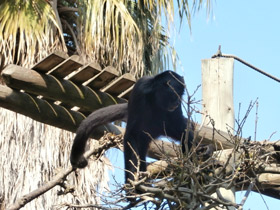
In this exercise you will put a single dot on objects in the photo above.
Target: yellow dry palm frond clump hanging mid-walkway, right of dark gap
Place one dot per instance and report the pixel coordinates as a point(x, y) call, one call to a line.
point(107, 33)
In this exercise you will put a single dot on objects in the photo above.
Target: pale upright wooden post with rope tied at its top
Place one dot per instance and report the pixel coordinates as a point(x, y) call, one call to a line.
point(217, 99)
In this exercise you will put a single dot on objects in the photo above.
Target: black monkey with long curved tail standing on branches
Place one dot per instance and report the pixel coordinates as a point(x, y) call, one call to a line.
point(154, 109)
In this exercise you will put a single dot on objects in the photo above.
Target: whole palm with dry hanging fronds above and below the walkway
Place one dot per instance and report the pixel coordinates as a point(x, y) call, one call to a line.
point(129, 35)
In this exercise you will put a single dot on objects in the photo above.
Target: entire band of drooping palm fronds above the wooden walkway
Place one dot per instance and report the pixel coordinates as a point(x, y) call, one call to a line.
point(128, 35)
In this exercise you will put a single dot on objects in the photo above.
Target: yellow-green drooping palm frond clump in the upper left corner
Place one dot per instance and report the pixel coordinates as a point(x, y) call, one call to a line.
point(28, 31)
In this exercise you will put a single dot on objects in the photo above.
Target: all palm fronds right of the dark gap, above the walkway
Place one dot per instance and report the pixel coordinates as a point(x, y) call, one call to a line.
point(128, 35)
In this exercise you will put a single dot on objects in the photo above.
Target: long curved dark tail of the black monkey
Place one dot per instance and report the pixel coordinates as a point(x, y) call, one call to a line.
point(95, 119)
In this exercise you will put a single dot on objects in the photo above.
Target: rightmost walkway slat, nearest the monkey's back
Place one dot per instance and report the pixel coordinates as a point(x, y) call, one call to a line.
point(120, 85)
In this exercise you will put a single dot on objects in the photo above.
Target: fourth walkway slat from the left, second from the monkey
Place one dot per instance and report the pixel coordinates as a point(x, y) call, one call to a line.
point(103, 78)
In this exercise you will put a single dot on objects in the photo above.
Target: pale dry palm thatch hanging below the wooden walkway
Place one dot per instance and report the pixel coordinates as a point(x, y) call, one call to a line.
point(32, 153)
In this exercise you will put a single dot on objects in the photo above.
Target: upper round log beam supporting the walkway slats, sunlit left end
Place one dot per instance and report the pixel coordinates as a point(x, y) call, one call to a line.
point(57, 89)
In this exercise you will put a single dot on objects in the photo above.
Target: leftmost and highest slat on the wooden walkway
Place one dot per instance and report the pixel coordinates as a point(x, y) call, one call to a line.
point(50, 62)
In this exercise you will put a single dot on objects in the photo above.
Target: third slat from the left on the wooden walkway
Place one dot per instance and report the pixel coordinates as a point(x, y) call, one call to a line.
point(85, 73)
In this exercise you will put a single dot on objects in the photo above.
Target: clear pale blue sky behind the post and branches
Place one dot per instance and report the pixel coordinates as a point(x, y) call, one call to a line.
point(251, 31)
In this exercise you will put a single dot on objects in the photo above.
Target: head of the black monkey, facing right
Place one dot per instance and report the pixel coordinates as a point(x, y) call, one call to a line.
point(169, 89)
